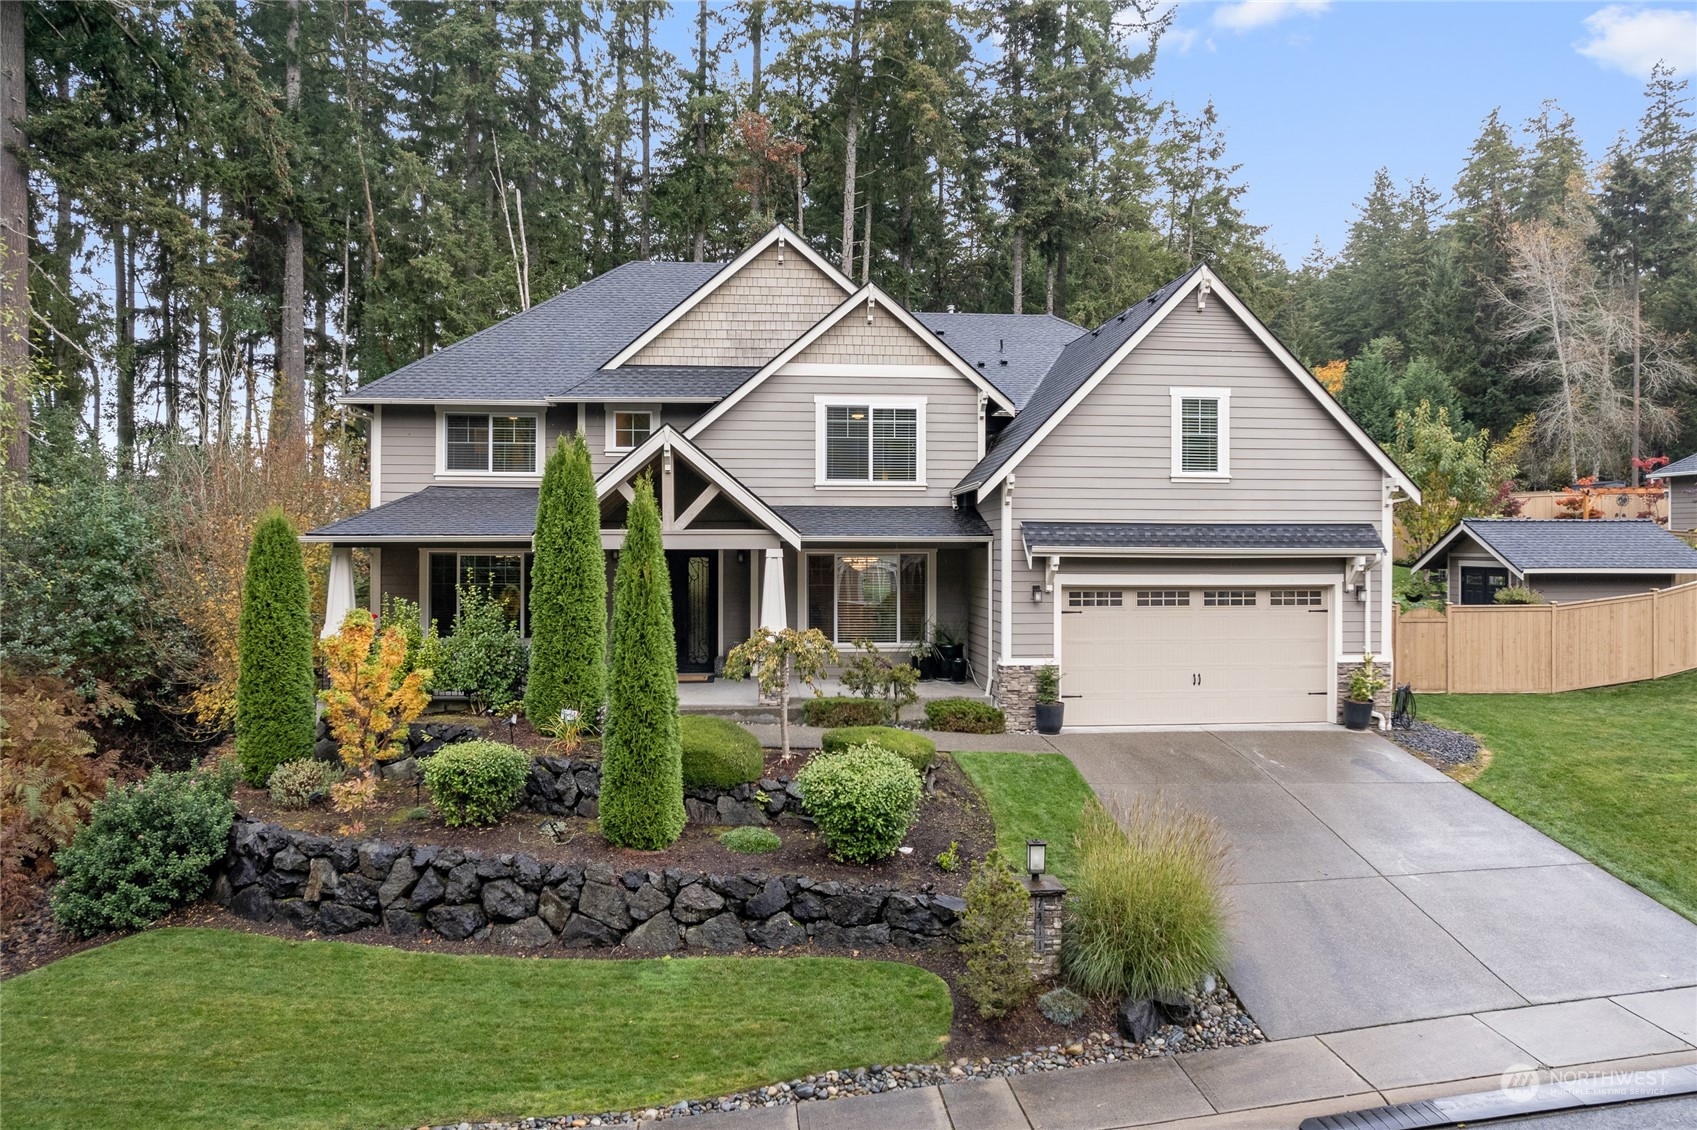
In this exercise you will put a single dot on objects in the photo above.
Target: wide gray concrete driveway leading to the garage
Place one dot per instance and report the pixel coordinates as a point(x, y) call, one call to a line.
point(1370, 890)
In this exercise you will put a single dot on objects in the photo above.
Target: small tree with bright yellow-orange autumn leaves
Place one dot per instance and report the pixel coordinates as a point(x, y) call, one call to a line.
point(371, 703)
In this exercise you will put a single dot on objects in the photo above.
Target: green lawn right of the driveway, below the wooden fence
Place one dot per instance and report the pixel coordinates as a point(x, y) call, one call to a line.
point(1610, 773)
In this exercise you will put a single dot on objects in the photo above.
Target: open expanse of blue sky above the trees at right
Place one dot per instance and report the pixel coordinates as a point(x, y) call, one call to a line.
point(1316, 96)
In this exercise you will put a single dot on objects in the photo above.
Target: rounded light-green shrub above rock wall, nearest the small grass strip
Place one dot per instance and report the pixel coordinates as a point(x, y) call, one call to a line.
point(865, 800)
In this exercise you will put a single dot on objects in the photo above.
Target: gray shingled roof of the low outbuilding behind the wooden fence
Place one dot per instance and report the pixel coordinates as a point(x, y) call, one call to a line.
point(1557, 545)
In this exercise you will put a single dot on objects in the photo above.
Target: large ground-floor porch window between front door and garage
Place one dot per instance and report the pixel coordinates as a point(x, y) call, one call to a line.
point(868, 596)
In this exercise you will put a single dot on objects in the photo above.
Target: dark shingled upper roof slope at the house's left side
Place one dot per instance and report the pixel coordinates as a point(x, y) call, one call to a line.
point(551, 347)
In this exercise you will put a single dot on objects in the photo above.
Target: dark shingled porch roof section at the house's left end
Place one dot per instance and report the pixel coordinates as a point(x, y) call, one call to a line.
point(442, 515)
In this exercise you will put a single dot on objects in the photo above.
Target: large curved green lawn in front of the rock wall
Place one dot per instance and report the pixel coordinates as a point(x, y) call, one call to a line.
point(221, 1029)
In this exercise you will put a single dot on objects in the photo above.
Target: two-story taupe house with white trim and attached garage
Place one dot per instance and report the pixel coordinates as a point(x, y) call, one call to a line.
point(1168, 506)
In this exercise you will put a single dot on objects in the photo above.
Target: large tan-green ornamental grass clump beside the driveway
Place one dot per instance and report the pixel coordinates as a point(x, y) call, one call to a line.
point(1146, 914)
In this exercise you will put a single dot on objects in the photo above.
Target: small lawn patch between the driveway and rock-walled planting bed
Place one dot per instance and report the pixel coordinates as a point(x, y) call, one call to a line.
point(1033, 797)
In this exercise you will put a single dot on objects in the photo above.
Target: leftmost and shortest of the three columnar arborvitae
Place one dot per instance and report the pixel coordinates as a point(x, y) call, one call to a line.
point(274, 690)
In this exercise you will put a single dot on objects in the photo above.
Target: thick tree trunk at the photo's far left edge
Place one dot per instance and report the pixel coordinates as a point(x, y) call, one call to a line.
point(14, 230)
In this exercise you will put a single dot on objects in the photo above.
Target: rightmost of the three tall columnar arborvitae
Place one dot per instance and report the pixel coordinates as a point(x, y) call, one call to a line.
point(642, 763)
